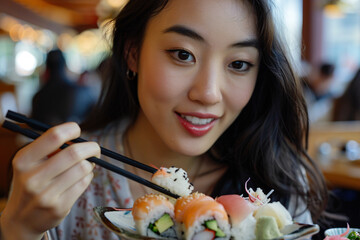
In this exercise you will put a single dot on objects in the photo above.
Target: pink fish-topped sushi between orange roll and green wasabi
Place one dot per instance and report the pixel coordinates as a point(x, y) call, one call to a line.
point(240, 211)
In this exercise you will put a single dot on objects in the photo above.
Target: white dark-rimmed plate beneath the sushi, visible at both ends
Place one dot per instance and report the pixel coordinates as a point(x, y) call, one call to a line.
point(120, 221)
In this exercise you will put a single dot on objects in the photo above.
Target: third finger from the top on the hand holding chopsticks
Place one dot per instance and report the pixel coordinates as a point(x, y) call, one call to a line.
point(63, 182)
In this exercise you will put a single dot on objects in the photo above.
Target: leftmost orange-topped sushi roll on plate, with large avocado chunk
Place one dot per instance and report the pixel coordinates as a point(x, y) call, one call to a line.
point(154, 216)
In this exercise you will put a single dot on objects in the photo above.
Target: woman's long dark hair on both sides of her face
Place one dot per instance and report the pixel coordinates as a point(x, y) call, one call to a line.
point(266, 142)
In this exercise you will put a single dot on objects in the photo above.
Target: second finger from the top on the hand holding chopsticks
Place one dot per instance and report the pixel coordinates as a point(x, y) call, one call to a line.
point(61, 163)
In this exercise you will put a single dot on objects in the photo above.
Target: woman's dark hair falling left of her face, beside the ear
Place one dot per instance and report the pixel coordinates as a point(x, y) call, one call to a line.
point(118, 98)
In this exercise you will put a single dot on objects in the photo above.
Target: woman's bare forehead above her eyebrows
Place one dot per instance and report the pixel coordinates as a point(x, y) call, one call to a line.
point(209, 18)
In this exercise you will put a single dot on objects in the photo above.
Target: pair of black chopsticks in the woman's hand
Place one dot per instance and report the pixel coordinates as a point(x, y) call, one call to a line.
point(43, 127)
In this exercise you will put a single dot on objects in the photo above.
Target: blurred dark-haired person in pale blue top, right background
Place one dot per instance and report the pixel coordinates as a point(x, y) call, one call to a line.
point(317, 93)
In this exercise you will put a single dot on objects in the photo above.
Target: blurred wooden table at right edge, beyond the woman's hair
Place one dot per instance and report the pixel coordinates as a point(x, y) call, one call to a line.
point(337, 171)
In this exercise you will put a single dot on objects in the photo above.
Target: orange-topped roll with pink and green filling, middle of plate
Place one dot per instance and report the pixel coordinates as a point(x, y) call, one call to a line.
point(202, 218)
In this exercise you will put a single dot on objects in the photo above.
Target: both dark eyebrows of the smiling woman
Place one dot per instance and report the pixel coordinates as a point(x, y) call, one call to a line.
point(185, 31)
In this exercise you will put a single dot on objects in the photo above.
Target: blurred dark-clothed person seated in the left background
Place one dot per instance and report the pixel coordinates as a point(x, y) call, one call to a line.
point(60, 99)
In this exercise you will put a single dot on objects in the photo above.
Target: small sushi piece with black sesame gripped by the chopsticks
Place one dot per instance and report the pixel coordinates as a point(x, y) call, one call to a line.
point(173, 179)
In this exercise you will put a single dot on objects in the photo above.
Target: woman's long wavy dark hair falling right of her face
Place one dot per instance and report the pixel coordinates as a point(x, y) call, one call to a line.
point(271, 133)
